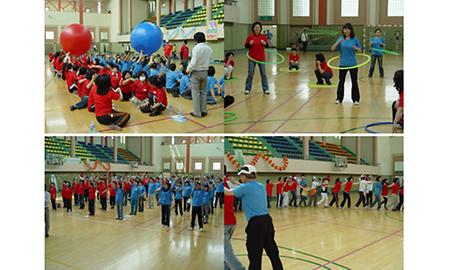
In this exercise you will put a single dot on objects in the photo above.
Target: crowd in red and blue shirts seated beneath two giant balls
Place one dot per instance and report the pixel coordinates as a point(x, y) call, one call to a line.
point(98, 79)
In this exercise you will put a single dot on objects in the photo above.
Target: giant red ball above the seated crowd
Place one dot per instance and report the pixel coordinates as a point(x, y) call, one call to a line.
point(76, 39)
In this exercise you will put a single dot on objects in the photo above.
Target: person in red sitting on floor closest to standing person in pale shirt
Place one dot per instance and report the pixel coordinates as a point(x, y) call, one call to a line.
point(157, 101)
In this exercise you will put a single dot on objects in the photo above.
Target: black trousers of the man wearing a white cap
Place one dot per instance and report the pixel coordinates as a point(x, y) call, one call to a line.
point(261, 235)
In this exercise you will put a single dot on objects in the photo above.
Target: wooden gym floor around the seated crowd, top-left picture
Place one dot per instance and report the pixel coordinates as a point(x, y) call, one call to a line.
point(59, 119)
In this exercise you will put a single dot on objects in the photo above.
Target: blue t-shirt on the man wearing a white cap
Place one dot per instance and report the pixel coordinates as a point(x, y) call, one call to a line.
point(254, 200)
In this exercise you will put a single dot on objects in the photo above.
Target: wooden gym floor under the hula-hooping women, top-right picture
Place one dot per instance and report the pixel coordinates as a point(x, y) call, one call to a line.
point(294, 107)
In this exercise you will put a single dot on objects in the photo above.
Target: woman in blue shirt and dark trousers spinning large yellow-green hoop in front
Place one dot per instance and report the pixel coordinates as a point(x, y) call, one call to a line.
point(347, 45)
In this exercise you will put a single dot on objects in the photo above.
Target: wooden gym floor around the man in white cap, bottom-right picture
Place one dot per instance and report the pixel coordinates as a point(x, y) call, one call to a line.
point(338, 239)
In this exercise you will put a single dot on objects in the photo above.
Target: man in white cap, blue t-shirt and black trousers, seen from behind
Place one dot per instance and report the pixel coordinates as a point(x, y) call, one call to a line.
point(260, 231)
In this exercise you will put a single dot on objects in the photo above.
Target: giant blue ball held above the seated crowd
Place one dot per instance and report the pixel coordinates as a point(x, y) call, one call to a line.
point(146, 37)
